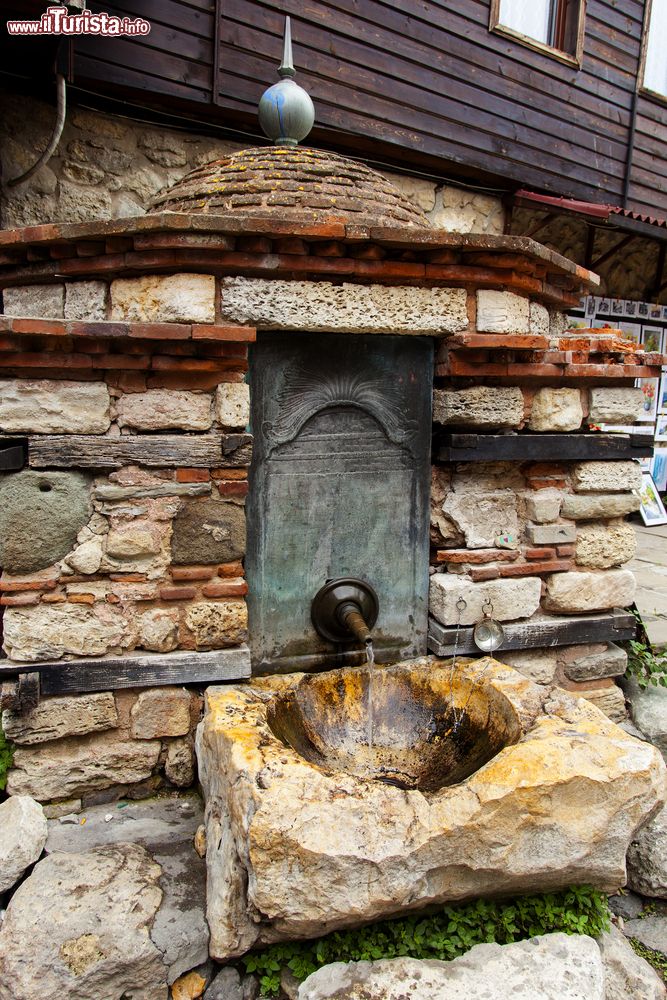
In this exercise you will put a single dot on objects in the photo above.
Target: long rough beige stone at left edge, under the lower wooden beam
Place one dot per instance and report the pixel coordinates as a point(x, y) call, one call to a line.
point(67, 715)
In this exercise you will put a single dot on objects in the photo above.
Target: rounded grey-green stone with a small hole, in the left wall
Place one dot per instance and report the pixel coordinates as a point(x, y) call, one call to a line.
point(40, 517)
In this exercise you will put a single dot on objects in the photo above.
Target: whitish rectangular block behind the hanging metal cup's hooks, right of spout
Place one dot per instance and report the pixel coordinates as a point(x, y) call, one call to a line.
point(511, 598)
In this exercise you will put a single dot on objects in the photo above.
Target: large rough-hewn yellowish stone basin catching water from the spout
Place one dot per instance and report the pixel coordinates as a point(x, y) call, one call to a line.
point(309, 831)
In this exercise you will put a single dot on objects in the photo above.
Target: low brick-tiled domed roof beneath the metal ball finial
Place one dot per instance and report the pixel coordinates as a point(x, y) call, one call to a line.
point(291, 182)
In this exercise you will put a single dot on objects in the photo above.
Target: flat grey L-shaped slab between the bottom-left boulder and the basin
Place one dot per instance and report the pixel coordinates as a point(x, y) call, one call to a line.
point(165, 828)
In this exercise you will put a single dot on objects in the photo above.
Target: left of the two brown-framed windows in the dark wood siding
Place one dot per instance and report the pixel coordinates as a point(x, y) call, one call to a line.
point(553, 26)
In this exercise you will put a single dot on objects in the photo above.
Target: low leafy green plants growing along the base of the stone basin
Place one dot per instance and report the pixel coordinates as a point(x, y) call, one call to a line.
point(443, 935)
